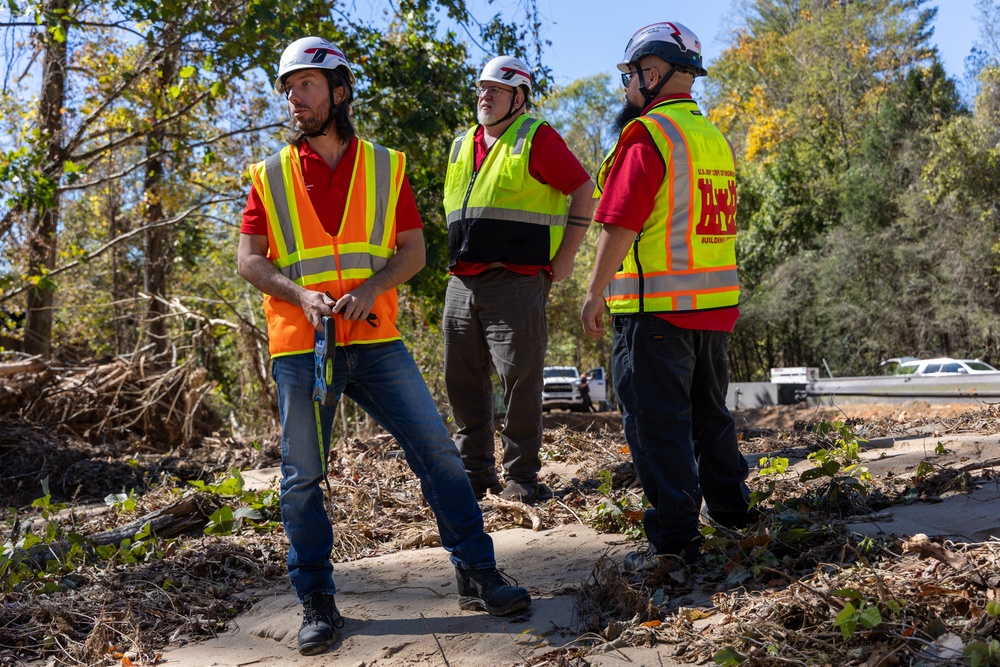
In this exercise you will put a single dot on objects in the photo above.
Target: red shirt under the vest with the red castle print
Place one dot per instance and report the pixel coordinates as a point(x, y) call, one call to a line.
point(627, 201)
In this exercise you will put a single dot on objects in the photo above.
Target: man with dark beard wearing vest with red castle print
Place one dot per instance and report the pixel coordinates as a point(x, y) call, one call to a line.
point(666, 268)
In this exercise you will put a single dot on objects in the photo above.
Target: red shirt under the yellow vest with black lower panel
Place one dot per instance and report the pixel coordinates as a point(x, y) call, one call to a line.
point(550, 161)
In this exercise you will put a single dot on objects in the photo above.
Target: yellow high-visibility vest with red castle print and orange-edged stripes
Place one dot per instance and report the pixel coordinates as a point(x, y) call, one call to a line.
point(684, 258)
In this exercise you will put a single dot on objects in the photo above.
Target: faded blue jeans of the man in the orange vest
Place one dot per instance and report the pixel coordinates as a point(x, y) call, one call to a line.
point(384, 380)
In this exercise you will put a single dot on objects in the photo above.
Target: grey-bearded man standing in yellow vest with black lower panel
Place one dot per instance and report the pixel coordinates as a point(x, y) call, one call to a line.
point(510, 237)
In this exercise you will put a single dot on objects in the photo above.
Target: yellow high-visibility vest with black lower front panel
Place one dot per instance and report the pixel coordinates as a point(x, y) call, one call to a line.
point(500, 213)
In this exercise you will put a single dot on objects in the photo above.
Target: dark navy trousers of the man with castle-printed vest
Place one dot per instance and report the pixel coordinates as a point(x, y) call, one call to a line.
point(671, 384)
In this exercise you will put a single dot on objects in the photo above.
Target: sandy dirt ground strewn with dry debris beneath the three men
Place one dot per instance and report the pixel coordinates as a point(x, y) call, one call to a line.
point(224, 600)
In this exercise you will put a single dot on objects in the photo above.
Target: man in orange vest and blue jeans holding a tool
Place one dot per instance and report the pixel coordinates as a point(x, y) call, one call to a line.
point(331, 229)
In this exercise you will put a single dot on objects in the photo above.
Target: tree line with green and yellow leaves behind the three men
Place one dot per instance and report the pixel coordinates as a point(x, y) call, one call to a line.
point(868, 185)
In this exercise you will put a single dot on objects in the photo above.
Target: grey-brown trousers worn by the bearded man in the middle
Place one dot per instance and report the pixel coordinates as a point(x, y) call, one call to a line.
point(496, 320)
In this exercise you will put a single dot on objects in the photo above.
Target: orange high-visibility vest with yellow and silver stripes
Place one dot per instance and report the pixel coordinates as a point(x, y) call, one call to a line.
point(308, 255)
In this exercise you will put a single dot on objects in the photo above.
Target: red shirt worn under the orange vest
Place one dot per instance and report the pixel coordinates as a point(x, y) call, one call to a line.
point(328, 190)
